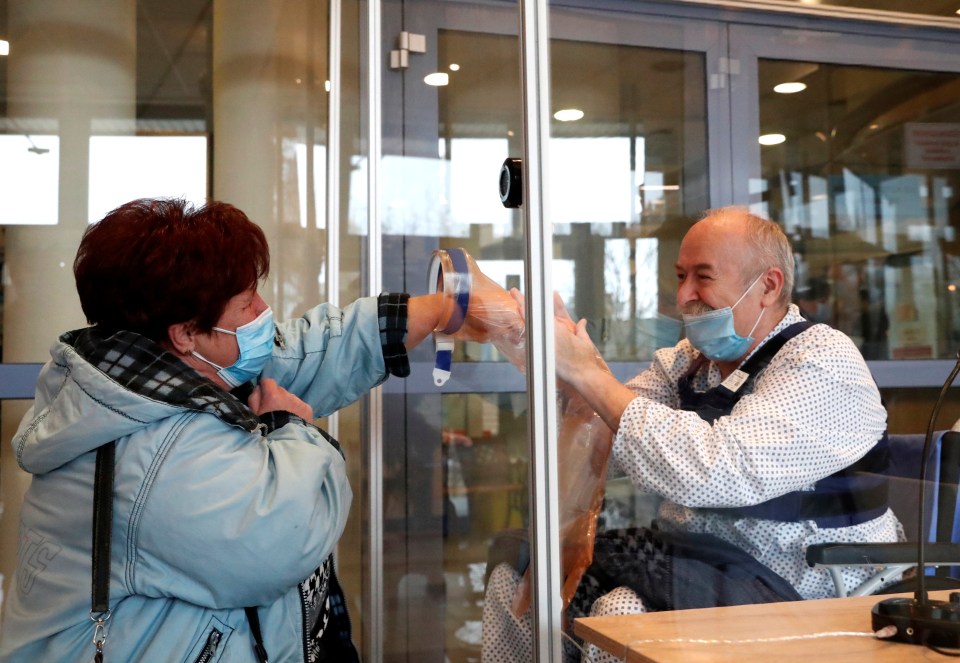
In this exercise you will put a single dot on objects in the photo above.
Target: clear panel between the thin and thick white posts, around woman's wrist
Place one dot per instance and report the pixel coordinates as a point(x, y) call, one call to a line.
point(454, 472)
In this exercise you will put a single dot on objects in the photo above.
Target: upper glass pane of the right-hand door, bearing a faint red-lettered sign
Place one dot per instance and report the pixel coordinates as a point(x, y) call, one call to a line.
point(866, 182)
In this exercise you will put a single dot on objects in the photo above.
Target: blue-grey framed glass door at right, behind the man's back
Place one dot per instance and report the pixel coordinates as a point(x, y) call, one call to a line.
point(859, 160)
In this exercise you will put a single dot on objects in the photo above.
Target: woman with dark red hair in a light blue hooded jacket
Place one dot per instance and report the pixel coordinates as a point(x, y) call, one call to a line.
point(226, 501)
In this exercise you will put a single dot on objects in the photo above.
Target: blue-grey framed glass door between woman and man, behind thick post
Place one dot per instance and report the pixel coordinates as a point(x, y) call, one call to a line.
point(629, 172)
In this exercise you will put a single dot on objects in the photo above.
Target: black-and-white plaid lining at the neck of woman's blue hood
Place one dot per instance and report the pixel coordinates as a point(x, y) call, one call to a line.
point(140, 365)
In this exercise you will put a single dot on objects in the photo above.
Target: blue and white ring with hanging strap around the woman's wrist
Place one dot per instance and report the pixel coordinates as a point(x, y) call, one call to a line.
point(449, 275)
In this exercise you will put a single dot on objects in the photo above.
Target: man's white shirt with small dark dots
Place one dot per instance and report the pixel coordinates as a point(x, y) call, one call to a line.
point(814, 410)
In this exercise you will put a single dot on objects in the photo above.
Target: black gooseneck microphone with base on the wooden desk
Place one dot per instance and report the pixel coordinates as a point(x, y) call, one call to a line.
point(921, 620)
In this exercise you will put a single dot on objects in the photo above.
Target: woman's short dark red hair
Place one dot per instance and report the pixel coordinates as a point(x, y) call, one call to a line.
point(152, 263)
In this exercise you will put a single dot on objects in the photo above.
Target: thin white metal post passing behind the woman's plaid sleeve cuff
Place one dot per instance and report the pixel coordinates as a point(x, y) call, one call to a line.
point(374, 628)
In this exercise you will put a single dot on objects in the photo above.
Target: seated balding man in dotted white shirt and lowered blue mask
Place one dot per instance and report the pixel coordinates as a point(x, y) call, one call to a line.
point(757, 450)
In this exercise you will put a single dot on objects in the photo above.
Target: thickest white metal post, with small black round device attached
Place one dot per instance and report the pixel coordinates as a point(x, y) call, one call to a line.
point(546, 605)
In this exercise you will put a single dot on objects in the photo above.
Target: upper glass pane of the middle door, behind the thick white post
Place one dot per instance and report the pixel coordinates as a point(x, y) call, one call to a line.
point(627, 178)
